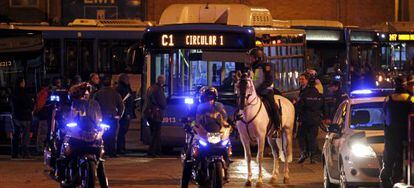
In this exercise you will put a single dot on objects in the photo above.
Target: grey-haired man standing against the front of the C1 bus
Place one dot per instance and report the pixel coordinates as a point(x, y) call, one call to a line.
point(155, 104)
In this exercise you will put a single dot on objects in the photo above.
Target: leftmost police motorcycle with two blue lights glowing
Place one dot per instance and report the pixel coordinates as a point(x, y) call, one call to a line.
point(81, 155)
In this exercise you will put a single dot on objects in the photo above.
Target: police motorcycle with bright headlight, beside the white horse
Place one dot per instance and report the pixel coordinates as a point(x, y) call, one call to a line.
point(206, 154)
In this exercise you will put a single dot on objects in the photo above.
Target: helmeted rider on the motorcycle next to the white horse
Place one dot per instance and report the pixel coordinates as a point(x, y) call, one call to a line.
point(212, 115)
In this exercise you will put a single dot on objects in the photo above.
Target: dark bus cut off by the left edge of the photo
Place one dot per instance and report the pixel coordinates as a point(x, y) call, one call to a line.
point(21, 53)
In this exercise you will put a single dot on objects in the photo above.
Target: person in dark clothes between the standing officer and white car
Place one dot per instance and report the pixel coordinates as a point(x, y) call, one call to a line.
point(333, 99)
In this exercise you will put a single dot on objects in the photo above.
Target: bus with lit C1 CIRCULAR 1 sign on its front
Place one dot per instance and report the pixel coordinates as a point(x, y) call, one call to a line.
point(205, 47)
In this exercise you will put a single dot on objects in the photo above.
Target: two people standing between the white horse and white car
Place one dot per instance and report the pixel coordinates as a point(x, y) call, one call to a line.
point(313, 108)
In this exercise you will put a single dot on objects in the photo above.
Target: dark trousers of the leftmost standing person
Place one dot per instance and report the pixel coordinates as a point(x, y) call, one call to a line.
point(21, 135)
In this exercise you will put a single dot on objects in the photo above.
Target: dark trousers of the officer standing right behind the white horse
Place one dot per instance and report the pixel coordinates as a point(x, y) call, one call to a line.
point(307, 136)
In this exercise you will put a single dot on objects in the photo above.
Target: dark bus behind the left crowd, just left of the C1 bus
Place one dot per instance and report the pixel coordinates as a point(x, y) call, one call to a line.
point(86, 46)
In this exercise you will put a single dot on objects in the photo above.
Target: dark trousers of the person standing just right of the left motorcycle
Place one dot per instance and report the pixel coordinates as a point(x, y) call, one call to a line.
point(110, 136)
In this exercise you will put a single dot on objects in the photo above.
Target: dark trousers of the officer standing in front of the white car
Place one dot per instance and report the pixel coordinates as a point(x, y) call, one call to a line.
point(392, 170)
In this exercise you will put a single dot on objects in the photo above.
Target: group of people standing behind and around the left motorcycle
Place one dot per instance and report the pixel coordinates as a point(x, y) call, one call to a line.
point(116, 105)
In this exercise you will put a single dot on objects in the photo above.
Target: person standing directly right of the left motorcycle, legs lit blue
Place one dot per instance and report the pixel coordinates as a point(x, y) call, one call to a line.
point(112, 108)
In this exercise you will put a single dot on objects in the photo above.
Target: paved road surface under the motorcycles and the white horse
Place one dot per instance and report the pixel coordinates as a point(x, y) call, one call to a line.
point(134, 170)
